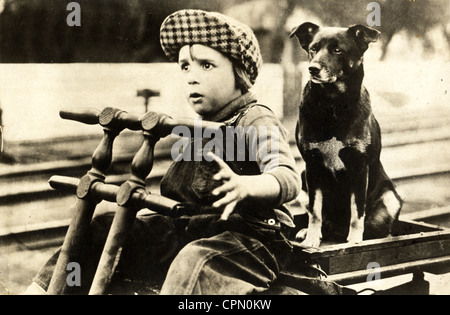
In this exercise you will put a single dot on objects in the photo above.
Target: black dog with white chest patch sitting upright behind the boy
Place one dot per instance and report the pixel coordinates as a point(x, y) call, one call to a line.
point(350, 196)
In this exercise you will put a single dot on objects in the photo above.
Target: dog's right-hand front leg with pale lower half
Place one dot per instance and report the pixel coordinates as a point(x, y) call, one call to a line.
point(358, 198)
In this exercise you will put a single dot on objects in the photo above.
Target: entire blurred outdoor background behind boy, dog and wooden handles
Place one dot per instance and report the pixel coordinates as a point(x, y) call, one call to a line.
point(46, 66)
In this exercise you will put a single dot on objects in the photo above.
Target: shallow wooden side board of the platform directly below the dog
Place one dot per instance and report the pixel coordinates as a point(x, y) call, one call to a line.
point(427, 241)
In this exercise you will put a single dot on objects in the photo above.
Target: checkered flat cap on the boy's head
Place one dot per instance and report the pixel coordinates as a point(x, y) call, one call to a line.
point(212, 29)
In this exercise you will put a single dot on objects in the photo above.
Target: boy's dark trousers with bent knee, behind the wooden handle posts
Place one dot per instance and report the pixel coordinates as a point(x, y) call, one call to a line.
point(187, 256)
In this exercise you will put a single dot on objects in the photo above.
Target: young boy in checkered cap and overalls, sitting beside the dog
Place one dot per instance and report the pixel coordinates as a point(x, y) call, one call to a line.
point(236, 245)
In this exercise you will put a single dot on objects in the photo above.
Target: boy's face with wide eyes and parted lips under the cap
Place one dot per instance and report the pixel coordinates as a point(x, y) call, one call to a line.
point(208, 79)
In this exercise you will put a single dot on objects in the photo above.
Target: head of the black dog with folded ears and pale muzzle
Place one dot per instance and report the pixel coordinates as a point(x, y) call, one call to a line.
point(334, 53)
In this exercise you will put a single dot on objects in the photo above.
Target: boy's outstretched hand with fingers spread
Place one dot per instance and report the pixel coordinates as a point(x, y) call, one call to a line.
point(234, 187)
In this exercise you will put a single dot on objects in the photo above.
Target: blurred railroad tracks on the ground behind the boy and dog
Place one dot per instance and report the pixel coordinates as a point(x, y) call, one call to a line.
point(34, 213)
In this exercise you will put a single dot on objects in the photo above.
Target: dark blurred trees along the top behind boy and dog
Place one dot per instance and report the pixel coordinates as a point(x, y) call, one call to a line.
point(128, 30)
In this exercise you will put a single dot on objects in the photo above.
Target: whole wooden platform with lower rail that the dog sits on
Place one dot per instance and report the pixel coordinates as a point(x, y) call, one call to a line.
point(414, 248)
